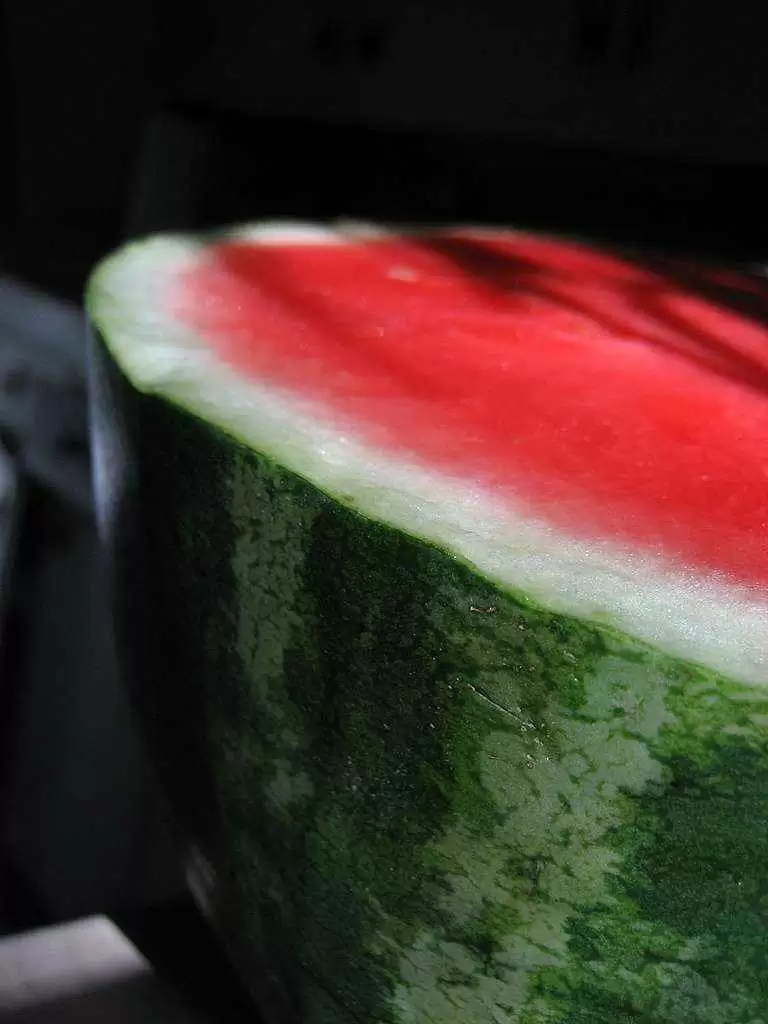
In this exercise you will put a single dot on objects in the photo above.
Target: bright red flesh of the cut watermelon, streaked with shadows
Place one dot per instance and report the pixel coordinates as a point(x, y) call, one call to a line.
point(618, 399)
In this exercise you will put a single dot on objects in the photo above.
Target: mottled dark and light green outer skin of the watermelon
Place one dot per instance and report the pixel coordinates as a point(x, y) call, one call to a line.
point(428, 801)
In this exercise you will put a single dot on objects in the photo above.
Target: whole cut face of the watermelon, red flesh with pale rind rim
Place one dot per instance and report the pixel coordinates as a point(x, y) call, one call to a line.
point(560, 417)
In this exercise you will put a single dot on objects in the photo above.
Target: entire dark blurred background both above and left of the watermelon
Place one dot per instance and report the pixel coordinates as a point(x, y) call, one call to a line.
point(643, 122)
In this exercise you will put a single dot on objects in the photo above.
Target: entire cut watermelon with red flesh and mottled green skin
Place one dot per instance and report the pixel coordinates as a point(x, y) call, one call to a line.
point(441, 568)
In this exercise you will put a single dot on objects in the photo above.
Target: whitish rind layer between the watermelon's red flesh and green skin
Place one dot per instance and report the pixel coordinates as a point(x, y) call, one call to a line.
point(693, 616)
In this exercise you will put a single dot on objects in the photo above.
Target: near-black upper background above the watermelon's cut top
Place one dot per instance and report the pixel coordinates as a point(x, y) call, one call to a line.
point(647, 117)
